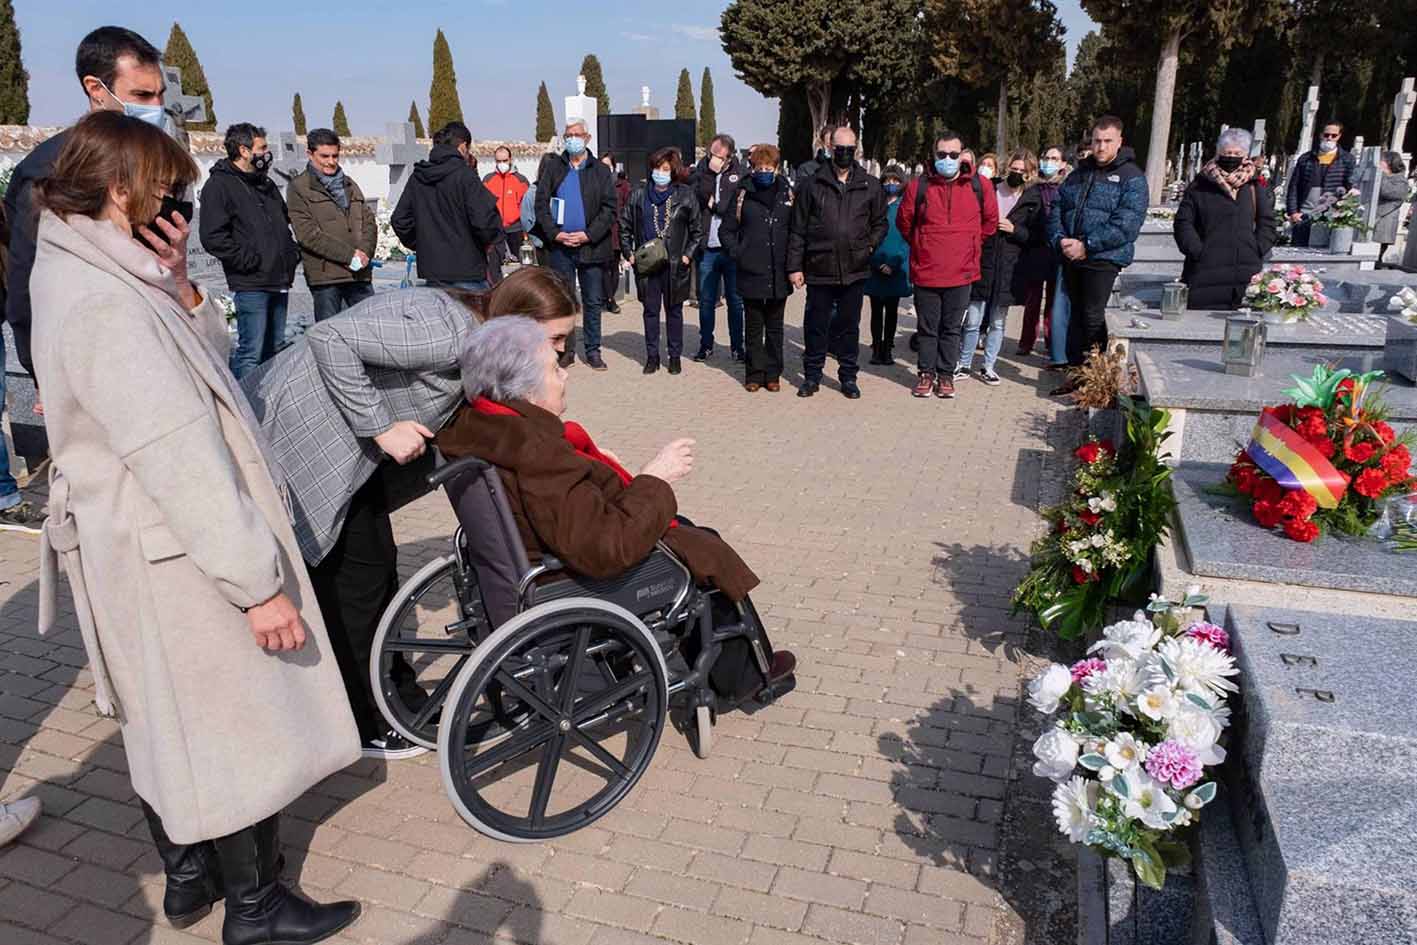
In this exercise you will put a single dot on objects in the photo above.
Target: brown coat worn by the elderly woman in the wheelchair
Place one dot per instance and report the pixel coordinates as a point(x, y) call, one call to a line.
point(579, 509)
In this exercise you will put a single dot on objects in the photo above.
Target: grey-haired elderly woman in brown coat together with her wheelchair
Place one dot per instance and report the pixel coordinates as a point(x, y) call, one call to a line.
point(576, 617)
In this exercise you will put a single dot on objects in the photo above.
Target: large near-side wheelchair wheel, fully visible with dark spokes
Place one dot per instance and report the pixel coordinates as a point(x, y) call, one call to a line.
point(596, 692)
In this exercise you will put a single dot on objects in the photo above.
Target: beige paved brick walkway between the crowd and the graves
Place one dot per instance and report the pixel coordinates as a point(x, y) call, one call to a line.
point(885, 803)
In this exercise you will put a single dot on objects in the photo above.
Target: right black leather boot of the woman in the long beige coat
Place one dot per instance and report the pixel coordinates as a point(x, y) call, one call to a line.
point(261, 912)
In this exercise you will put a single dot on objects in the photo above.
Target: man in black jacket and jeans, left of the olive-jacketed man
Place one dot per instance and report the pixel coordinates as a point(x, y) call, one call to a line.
point(246, 226)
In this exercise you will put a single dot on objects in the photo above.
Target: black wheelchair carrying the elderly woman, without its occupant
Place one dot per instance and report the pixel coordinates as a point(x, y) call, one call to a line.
point(546, 694)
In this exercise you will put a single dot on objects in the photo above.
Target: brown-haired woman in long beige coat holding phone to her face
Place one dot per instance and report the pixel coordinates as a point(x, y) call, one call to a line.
point(199, 626)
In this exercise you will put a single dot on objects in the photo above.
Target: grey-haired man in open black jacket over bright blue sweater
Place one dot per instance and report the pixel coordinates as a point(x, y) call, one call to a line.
point(579, 233)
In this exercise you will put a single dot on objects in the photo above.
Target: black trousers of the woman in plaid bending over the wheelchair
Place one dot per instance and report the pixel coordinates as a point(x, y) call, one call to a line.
point(354, 586)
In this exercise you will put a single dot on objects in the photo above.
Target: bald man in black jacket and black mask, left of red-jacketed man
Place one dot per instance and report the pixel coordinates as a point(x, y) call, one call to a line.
point(838, 222)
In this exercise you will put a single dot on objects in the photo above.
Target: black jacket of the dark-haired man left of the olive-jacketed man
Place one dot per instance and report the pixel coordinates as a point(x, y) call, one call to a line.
point(246, 226)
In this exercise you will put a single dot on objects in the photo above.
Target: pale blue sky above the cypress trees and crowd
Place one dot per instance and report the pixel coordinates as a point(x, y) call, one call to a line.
point(376, 57)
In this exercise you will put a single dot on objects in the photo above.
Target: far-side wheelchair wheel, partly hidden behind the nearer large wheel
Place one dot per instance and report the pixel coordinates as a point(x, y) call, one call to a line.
point(427, 634)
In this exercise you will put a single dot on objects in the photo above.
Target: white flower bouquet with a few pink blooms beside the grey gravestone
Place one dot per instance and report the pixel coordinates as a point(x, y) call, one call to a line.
point(1140, 722)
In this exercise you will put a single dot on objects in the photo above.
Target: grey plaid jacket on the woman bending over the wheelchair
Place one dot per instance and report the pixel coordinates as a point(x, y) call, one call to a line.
point(324, 400)
